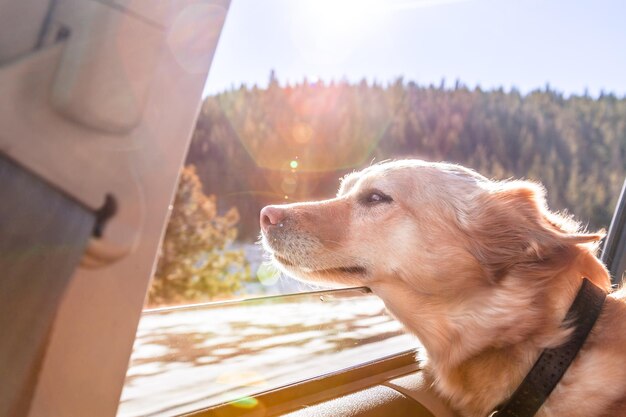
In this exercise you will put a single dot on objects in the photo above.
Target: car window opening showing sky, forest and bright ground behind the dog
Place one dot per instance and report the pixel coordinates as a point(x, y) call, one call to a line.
point(302, 93)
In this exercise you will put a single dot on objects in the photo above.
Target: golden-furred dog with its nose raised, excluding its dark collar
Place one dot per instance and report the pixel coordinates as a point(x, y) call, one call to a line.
point(481, 271)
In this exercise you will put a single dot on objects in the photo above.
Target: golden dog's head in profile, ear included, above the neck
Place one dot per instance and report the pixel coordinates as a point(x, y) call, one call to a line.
point(434, 226)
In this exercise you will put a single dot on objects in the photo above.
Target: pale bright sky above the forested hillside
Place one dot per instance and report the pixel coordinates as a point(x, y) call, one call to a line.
point(572, 45)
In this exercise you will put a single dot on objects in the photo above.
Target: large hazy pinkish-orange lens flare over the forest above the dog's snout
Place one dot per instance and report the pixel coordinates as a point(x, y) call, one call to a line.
point(309, 123)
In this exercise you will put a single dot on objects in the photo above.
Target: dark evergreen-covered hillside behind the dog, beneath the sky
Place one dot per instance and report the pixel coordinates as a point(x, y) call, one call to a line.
point(257, 146)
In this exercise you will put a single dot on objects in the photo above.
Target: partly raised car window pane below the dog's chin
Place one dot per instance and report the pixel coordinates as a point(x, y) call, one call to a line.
point(192, 357)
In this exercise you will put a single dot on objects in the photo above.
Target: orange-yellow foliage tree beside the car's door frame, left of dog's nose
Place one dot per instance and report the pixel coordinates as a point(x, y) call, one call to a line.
point(194, 262)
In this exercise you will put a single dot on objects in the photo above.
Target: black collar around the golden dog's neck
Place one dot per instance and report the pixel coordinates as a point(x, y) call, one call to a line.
point(553, 363)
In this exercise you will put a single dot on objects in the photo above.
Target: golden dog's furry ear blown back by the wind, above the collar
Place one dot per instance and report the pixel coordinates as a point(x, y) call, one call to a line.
point(511, 228)
